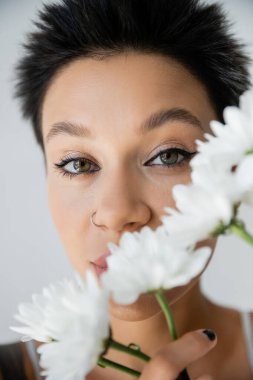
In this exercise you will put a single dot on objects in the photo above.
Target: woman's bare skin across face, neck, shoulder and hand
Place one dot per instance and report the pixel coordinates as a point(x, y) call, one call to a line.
point(112, 98)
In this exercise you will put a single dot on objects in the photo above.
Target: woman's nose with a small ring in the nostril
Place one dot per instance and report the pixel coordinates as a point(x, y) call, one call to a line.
point(120, 205)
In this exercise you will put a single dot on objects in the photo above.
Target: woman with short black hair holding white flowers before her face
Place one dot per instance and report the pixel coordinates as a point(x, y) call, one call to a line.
point(118, 92)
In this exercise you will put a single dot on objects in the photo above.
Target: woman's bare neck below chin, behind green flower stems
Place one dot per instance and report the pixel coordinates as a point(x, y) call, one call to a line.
point(148, 328)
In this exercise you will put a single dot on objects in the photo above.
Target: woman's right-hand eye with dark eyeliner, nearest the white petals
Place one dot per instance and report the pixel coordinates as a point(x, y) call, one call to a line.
point(171, 157)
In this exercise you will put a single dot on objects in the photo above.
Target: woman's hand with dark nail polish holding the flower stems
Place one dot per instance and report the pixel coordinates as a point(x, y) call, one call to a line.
point(172, 359)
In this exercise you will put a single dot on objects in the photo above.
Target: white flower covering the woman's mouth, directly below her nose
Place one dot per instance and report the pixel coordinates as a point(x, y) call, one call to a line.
point(147, 261)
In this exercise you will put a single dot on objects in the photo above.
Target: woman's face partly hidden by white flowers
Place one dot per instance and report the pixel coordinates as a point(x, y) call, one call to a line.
point(94, 121)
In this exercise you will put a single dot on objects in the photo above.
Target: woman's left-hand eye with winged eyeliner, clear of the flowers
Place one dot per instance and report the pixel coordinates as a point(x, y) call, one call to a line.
point(75, 166)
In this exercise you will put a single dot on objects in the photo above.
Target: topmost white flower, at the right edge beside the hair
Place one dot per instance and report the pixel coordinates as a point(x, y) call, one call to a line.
point(231, 141)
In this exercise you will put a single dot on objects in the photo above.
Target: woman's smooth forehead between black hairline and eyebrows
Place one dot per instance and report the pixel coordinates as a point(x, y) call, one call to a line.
point(122, 89)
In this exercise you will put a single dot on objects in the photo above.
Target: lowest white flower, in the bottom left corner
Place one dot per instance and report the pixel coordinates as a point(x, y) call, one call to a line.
point(73, 318)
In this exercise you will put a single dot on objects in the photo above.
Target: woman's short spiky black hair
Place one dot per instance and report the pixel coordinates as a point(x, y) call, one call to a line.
point(194, 33)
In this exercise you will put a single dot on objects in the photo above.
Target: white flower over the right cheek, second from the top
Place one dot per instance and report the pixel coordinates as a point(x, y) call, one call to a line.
point(204, 205)
